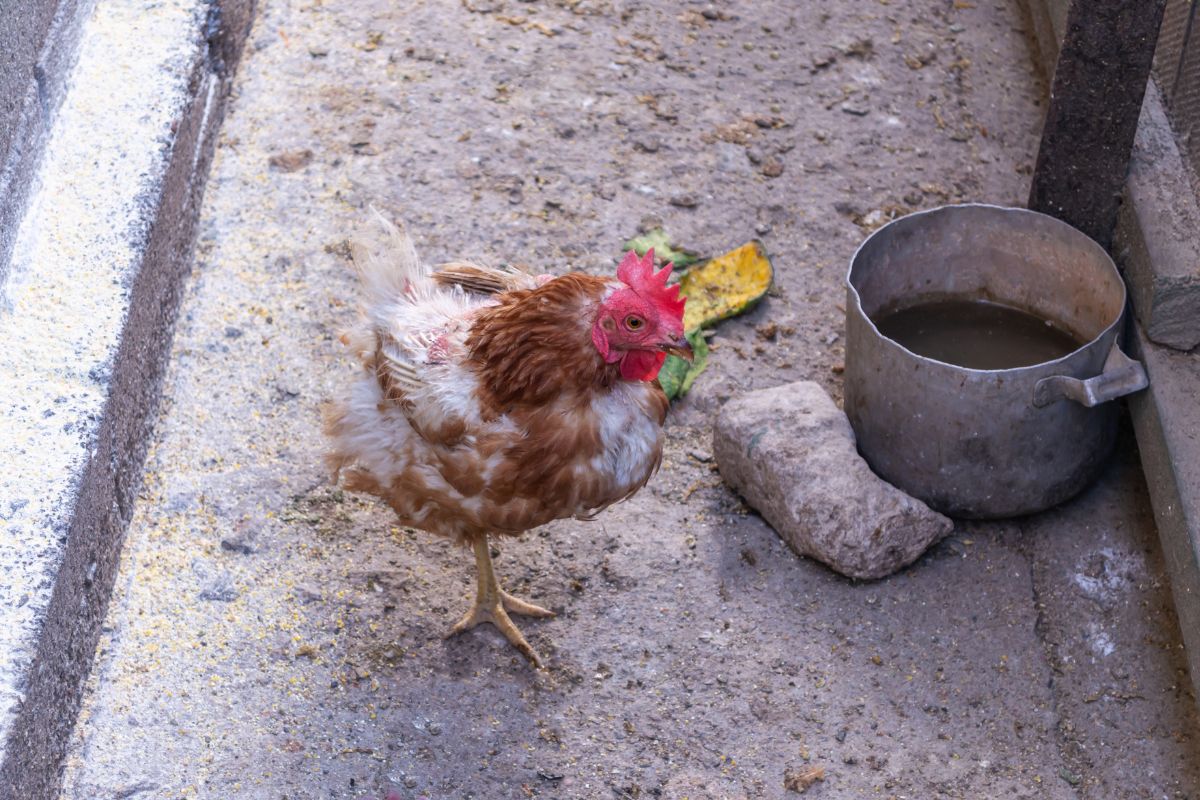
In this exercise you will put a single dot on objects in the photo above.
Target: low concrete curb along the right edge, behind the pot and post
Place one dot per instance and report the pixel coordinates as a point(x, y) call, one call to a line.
point(1157, 248)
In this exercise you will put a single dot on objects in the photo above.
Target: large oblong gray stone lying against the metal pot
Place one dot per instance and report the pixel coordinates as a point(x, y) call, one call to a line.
point(790, 453)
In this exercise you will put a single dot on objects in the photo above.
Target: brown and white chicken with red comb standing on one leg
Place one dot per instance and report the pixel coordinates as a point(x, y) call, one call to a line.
point(493, 401)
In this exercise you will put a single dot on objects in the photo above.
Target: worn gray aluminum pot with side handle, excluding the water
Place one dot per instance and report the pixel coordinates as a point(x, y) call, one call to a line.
point(987, 443)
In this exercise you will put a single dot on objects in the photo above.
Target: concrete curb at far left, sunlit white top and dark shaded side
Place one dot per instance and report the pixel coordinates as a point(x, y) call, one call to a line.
point(111, 222)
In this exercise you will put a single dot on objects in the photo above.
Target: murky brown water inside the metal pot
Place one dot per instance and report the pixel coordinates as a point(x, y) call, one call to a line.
point(979, 335)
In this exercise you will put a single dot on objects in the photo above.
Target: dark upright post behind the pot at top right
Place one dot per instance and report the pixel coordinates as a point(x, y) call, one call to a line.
point(1095, 103)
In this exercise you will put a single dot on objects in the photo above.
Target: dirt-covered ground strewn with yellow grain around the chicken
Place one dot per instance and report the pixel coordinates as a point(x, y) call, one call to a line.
point(274, 637)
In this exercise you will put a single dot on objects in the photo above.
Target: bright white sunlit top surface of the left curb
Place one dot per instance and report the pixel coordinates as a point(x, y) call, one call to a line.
point(65, 306)
